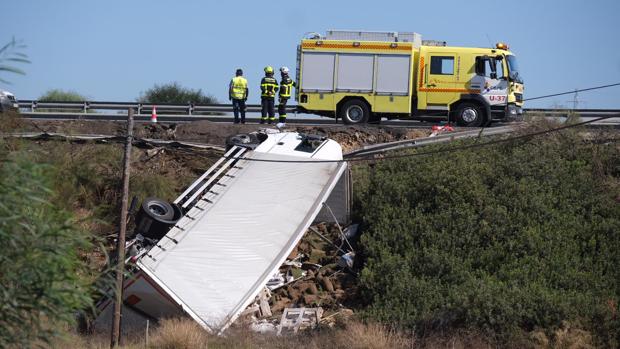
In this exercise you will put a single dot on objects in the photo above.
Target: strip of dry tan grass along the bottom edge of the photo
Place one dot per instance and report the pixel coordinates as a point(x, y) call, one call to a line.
point(186, 333)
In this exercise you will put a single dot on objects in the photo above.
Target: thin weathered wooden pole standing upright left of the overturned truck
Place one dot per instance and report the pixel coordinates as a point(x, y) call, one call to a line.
point(120, 248)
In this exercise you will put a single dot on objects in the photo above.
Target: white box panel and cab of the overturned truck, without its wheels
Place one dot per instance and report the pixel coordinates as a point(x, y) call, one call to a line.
point(230, 248)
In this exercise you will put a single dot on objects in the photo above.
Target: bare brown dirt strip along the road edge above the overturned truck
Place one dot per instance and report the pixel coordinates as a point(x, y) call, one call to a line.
point(349, 137)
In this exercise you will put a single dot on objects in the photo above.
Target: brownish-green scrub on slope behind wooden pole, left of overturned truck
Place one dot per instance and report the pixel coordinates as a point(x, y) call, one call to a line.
point(92, 188)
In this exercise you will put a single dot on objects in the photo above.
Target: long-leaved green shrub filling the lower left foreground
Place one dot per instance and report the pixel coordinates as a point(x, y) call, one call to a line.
point(40, 268)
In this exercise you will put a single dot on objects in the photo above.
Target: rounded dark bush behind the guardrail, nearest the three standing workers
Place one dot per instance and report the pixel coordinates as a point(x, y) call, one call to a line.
point(175, 94)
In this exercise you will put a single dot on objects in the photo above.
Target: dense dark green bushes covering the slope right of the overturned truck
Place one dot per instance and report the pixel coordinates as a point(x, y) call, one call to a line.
point(502, 239)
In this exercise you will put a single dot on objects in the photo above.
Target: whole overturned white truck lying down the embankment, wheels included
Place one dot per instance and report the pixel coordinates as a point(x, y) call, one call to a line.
point(210, 252)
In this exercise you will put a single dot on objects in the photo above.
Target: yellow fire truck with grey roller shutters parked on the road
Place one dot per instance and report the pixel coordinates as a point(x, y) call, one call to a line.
point(361, 76)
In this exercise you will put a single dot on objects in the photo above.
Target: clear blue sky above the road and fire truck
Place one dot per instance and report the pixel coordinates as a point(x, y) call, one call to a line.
point(113, 50)
